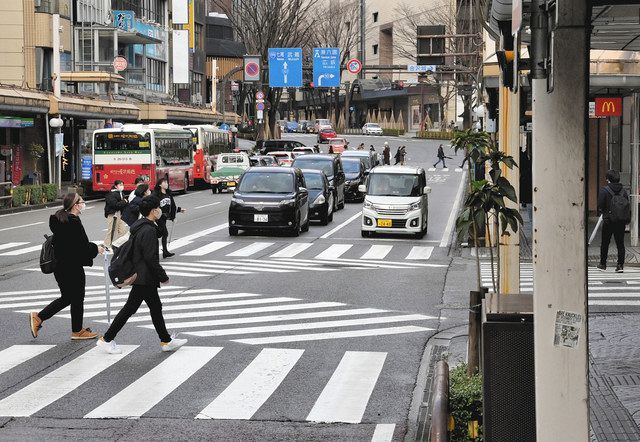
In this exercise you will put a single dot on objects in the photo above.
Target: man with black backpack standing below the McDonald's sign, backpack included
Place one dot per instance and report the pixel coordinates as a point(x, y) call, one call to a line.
point(615, 208)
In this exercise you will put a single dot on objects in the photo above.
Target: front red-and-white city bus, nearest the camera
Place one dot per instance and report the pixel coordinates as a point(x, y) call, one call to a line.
point(138, 150)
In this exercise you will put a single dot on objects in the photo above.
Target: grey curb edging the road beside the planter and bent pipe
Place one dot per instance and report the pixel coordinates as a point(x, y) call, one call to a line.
point(419, 409)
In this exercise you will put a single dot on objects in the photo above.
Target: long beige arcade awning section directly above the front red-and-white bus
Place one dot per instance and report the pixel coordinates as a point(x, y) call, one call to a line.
point(84, 107)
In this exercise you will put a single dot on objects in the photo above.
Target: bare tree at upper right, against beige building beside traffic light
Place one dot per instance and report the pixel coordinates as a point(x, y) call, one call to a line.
point(457, 17)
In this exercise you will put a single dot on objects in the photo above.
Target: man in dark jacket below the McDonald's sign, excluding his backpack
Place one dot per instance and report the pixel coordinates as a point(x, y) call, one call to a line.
point(610, 226)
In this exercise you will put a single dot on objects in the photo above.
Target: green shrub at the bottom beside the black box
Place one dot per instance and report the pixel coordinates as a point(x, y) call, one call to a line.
point(465, 402)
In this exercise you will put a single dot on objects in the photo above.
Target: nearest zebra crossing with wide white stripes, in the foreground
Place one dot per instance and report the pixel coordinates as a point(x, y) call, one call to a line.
point(343, 395)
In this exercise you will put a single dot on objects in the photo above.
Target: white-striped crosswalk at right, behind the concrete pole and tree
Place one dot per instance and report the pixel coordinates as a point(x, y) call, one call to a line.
point(605, 288)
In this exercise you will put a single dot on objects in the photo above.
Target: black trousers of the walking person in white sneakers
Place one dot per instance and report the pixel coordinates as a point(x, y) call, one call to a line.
point(139, 293)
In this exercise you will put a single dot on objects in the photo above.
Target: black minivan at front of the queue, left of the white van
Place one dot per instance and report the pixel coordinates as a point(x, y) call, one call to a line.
point(270, 198)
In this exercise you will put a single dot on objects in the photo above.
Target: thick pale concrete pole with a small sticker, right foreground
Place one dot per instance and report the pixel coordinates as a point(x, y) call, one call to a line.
point(559, 235)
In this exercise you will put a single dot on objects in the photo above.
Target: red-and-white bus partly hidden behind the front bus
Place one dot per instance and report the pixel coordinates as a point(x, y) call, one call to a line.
point(210, 141)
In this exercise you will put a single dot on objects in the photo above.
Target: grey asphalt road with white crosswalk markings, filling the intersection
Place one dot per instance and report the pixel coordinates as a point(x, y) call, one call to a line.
point(312, 338)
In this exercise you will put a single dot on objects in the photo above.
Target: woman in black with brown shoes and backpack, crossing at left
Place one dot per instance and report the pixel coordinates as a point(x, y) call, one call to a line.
point(73, 251)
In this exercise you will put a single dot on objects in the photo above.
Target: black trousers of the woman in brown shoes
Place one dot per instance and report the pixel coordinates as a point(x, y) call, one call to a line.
point(71, 281)
